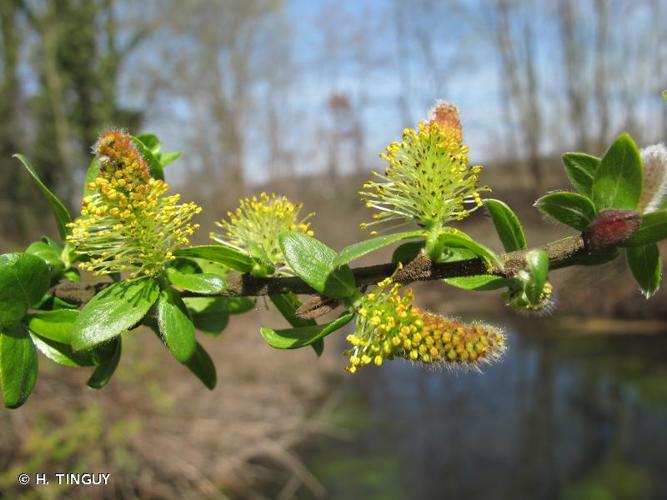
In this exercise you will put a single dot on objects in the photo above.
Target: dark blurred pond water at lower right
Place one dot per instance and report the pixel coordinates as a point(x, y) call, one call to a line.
point(563, 416)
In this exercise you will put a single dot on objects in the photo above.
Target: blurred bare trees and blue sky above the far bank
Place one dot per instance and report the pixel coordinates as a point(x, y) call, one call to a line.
point(259, 90)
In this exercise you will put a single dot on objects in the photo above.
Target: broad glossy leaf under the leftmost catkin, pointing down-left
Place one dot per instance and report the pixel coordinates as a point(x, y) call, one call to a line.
point(112, 311)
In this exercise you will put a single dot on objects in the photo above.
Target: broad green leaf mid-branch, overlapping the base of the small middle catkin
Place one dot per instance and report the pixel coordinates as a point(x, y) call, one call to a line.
point(313, 262)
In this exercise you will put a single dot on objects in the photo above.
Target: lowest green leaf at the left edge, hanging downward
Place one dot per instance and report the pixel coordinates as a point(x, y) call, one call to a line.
point(18, 365)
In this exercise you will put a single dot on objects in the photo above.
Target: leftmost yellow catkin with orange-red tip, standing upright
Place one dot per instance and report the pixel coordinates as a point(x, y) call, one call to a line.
point(127, 223)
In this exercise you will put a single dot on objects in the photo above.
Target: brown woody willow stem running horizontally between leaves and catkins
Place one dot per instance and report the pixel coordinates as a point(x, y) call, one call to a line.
point(562, 253)
